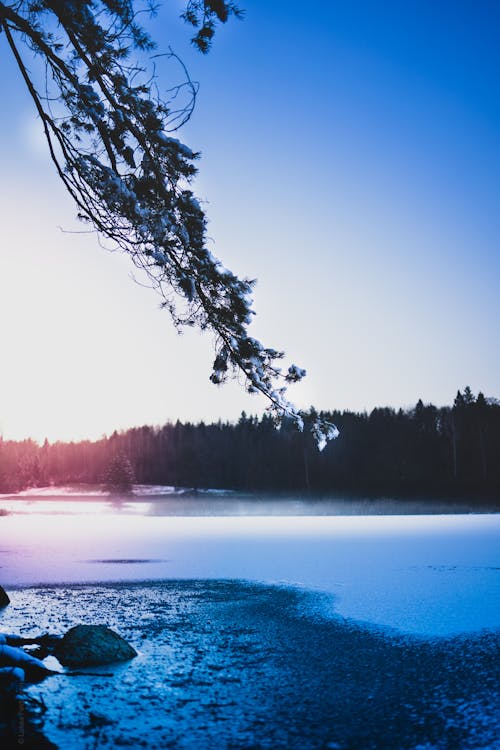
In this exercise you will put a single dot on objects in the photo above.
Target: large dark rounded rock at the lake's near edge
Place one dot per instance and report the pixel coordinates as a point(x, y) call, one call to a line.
point(88, 645)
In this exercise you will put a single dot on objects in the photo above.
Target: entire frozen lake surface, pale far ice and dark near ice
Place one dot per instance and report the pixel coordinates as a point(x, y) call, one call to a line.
point(273, 631)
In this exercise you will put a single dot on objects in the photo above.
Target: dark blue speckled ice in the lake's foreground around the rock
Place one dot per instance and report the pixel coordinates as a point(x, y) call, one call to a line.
point(229, 664)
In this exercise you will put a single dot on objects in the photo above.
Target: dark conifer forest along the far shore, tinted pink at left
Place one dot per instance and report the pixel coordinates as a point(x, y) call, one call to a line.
point(426, 451)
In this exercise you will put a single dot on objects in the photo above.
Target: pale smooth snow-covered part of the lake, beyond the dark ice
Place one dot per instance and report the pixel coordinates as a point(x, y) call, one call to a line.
point(430, 575)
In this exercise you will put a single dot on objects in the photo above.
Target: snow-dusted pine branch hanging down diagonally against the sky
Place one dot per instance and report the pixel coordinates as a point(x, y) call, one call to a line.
point(109, 135)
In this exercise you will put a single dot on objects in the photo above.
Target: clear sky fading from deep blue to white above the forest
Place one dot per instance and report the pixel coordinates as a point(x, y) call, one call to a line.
point(350, 162)
